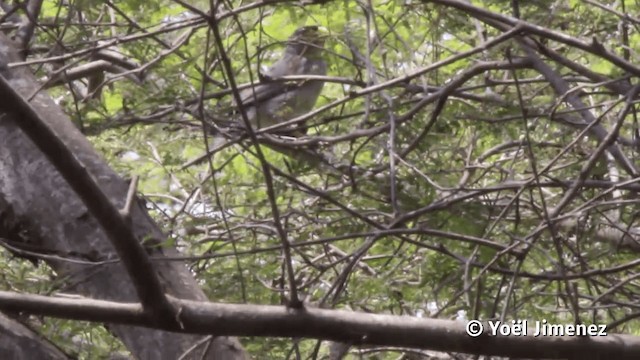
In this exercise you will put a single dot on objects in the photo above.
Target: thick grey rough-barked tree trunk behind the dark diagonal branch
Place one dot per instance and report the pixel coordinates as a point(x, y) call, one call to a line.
point(41, 209)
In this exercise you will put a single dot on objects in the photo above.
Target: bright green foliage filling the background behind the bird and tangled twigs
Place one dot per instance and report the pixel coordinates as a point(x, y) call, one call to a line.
point(452, 173)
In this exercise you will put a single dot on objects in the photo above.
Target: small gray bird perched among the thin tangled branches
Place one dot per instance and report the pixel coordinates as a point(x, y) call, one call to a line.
point(273, 102)
